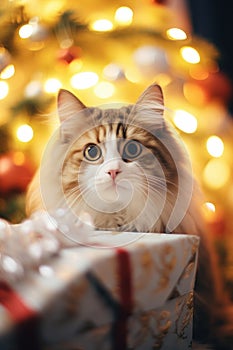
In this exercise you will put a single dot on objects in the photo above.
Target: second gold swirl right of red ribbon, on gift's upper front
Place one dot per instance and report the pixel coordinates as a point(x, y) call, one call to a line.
point(167, 263)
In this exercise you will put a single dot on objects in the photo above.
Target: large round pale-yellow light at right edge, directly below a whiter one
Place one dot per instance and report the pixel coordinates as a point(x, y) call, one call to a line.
point(216, 173)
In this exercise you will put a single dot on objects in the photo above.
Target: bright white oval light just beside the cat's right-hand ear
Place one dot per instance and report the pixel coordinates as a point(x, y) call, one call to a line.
point(185, 121)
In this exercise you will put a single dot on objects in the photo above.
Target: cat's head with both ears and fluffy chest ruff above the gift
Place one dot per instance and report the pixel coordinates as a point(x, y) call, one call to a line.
point(121, 164)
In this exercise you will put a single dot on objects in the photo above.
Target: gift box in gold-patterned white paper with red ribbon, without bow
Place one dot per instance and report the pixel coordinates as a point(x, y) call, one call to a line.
point(121, 291)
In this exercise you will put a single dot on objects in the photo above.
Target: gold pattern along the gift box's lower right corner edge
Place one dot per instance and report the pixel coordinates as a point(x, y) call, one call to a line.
point(184, 312)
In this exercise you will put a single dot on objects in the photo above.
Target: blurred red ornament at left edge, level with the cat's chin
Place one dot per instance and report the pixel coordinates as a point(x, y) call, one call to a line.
point(15, 172)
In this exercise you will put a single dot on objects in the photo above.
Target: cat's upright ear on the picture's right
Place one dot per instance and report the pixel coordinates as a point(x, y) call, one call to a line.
point(152, 98)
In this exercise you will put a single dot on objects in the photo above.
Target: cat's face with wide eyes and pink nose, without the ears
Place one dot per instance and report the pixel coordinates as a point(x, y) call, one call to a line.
point(110, 166)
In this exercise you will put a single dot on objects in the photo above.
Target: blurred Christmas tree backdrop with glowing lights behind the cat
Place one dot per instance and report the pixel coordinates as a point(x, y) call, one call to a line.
point(110, 51)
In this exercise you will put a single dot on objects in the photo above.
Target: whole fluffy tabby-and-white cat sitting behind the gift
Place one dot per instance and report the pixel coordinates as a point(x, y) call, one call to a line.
point(127, 168)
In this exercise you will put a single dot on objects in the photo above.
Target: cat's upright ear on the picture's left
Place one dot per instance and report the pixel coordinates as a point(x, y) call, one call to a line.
point(68, 105)
